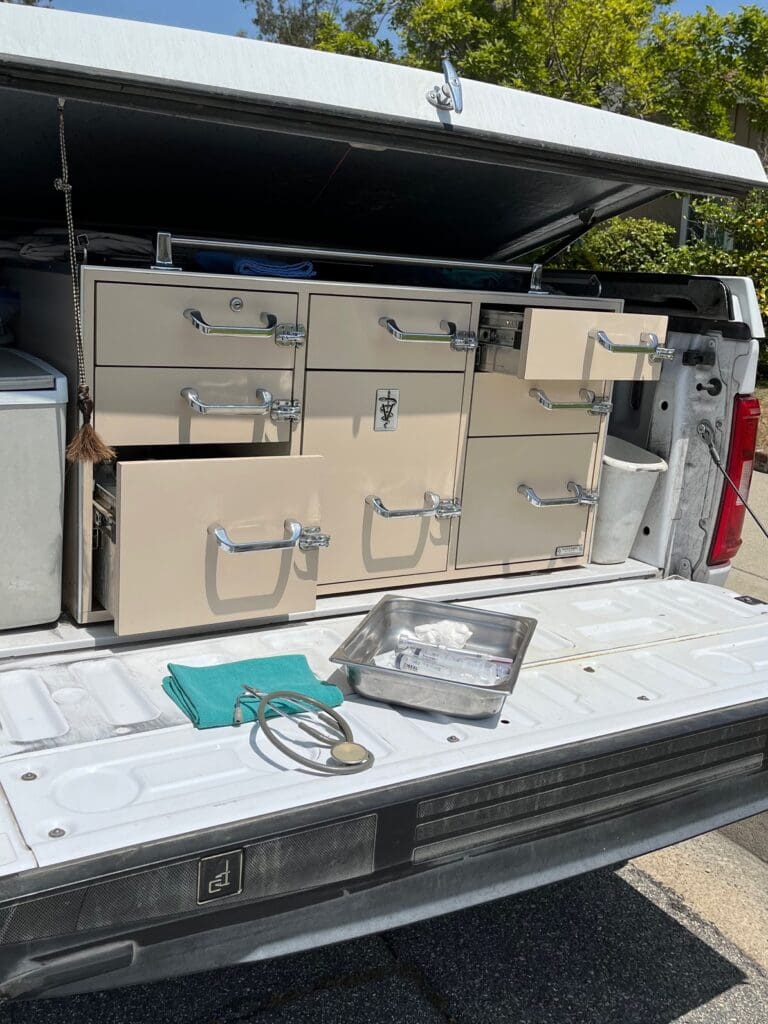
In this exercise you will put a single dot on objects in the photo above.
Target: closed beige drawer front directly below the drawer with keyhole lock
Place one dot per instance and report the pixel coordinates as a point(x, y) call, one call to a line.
point(141, 406)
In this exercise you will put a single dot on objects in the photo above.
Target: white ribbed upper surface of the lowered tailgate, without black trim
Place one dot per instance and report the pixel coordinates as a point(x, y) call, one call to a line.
point(606, 660)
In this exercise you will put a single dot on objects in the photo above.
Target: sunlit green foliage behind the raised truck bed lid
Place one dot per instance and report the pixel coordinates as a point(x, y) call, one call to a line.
point(632, 57)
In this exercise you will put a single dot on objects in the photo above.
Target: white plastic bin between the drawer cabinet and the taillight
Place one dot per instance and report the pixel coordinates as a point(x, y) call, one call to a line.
point(629, 476)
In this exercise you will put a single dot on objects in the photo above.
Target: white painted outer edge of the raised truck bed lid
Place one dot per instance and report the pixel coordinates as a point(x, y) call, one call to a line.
point(151, 55)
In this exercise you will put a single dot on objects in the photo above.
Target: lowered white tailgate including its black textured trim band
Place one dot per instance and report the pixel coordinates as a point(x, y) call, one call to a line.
point(641, 717)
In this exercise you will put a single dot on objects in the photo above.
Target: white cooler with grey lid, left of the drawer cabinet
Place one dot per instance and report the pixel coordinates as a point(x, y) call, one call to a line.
point(33, 428)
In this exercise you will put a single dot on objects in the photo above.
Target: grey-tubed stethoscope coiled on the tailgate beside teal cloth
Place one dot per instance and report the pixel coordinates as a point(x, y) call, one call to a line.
point(348, 756)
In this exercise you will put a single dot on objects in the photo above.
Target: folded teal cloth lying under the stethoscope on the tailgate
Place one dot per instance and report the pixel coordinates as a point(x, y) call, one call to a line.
point(207, 695)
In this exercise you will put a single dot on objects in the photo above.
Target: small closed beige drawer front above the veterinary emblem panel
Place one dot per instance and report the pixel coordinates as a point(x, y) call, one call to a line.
point(346, 334)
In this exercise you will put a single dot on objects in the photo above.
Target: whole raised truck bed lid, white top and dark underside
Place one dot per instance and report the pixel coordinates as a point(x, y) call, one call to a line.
point(193, 133)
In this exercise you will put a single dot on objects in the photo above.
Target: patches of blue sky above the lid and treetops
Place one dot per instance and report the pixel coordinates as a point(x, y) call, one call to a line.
point(230, 17)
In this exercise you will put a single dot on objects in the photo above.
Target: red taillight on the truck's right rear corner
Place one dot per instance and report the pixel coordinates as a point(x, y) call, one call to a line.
point(728, 538)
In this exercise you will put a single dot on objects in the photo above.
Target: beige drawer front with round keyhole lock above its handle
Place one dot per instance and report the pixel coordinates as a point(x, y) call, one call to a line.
point(145, 326)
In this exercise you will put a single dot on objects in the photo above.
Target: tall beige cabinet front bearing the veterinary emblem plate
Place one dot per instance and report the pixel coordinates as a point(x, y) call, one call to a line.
point(397, 465)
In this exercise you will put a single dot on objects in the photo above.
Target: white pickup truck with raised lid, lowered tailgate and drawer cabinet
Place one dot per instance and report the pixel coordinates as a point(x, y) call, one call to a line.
point(426, 414)
